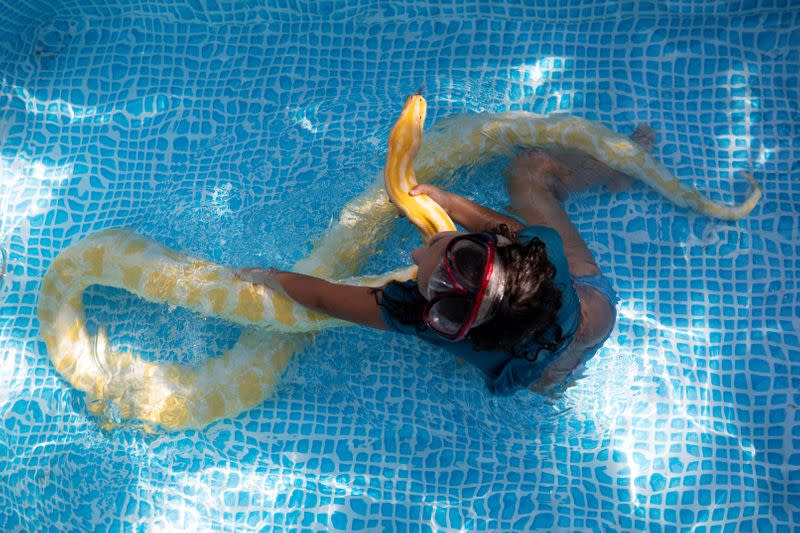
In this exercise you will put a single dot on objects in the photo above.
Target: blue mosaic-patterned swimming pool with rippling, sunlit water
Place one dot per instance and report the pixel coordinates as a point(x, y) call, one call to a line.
point(236, 131)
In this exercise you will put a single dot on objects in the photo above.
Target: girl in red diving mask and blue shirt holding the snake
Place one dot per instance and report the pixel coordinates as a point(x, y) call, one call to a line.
point(525, 303)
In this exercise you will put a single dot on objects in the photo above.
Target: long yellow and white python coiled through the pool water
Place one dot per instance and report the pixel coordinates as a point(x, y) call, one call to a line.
point(175, 396)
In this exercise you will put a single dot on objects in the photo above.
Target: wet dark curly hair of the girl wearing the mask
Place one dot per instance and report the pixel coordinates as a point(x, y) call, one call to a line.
point(528, 309)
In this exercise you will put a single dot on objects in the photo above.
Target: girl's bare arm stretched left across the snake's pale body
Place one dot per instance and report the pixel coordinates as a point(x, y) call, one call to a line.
point(348, 302)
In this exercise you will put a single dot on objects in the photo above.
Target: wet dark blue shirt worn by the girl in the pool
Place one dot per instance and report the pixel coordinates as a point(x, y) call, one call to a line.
point(505, 373)
